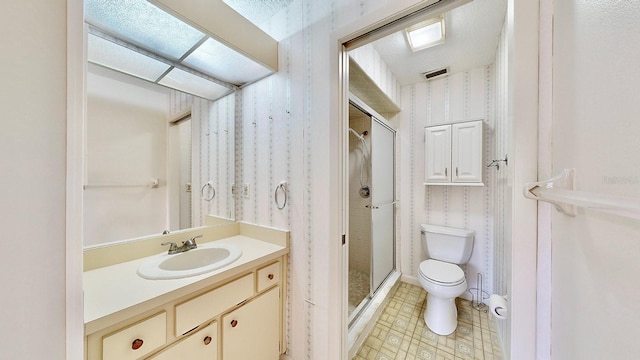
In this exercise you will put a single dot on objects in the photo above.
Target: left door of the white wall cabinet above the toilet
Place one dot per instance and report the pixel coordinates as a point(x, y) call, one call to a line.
point(438, 154)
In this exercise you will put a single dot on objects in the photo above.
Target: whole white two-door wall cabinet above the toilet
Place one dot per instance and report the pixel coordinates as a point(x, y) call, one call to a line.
point(453, 154)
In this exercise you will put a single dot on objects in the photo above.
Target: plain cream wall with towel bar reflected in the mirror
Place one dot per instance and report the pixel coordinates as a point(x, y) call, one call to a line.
point(126, 143)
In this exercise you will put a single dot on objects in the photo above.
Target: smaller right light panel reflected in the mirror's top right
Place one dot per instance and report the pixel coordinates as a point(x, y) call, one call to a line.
point(192, 84)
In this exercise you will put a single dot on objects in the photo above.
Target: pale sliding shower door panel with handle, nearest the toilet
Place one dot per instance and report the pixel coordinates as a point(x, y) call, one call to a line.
point(382, 202)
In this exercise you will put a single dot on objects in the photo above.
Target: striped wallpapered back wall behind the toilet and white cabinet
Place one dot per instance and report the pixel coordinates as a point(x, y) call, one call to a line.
point(462, 96)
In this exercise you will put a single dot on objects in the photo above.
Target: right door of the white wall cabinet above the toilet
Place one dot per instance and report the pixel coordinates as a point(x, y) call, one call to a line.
point(466, 152)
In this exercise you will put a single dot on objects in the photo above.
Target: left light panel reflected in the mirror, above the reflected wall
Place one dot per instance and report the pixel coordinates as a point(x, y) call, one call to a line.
point(108, 54)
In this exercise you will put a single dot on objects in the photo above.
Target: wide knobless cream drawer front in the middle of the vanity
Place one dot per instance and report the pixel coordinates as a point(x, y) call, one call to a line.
point(194, 312)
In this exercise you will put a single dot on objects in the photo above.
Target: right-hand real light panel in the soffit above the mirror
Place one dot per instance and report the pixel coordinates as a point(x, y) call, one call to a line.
point(220, 61)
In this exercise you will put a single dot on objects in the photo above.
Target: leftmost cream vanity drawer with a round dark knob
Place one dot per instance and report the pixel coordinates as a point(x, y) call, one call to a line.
point(136, 340)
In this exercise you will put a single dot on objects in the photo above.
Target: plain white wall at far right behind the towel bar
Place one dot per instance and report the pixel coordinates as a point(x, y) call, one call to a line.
point(595, 266)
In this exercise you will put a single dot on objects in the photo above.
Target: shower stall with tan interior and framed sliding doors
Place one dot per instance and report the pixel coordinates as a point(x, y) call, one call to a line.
point(371, 206)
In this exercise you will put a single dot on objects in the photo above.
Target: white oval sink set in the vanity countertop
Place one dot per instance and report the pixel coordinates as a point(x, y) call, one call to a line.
point(198, 261)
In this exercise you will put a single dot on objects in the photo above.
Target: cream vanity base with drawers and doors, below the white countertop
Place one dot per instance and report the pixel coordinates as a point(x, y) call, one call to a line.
point(238, 319)
